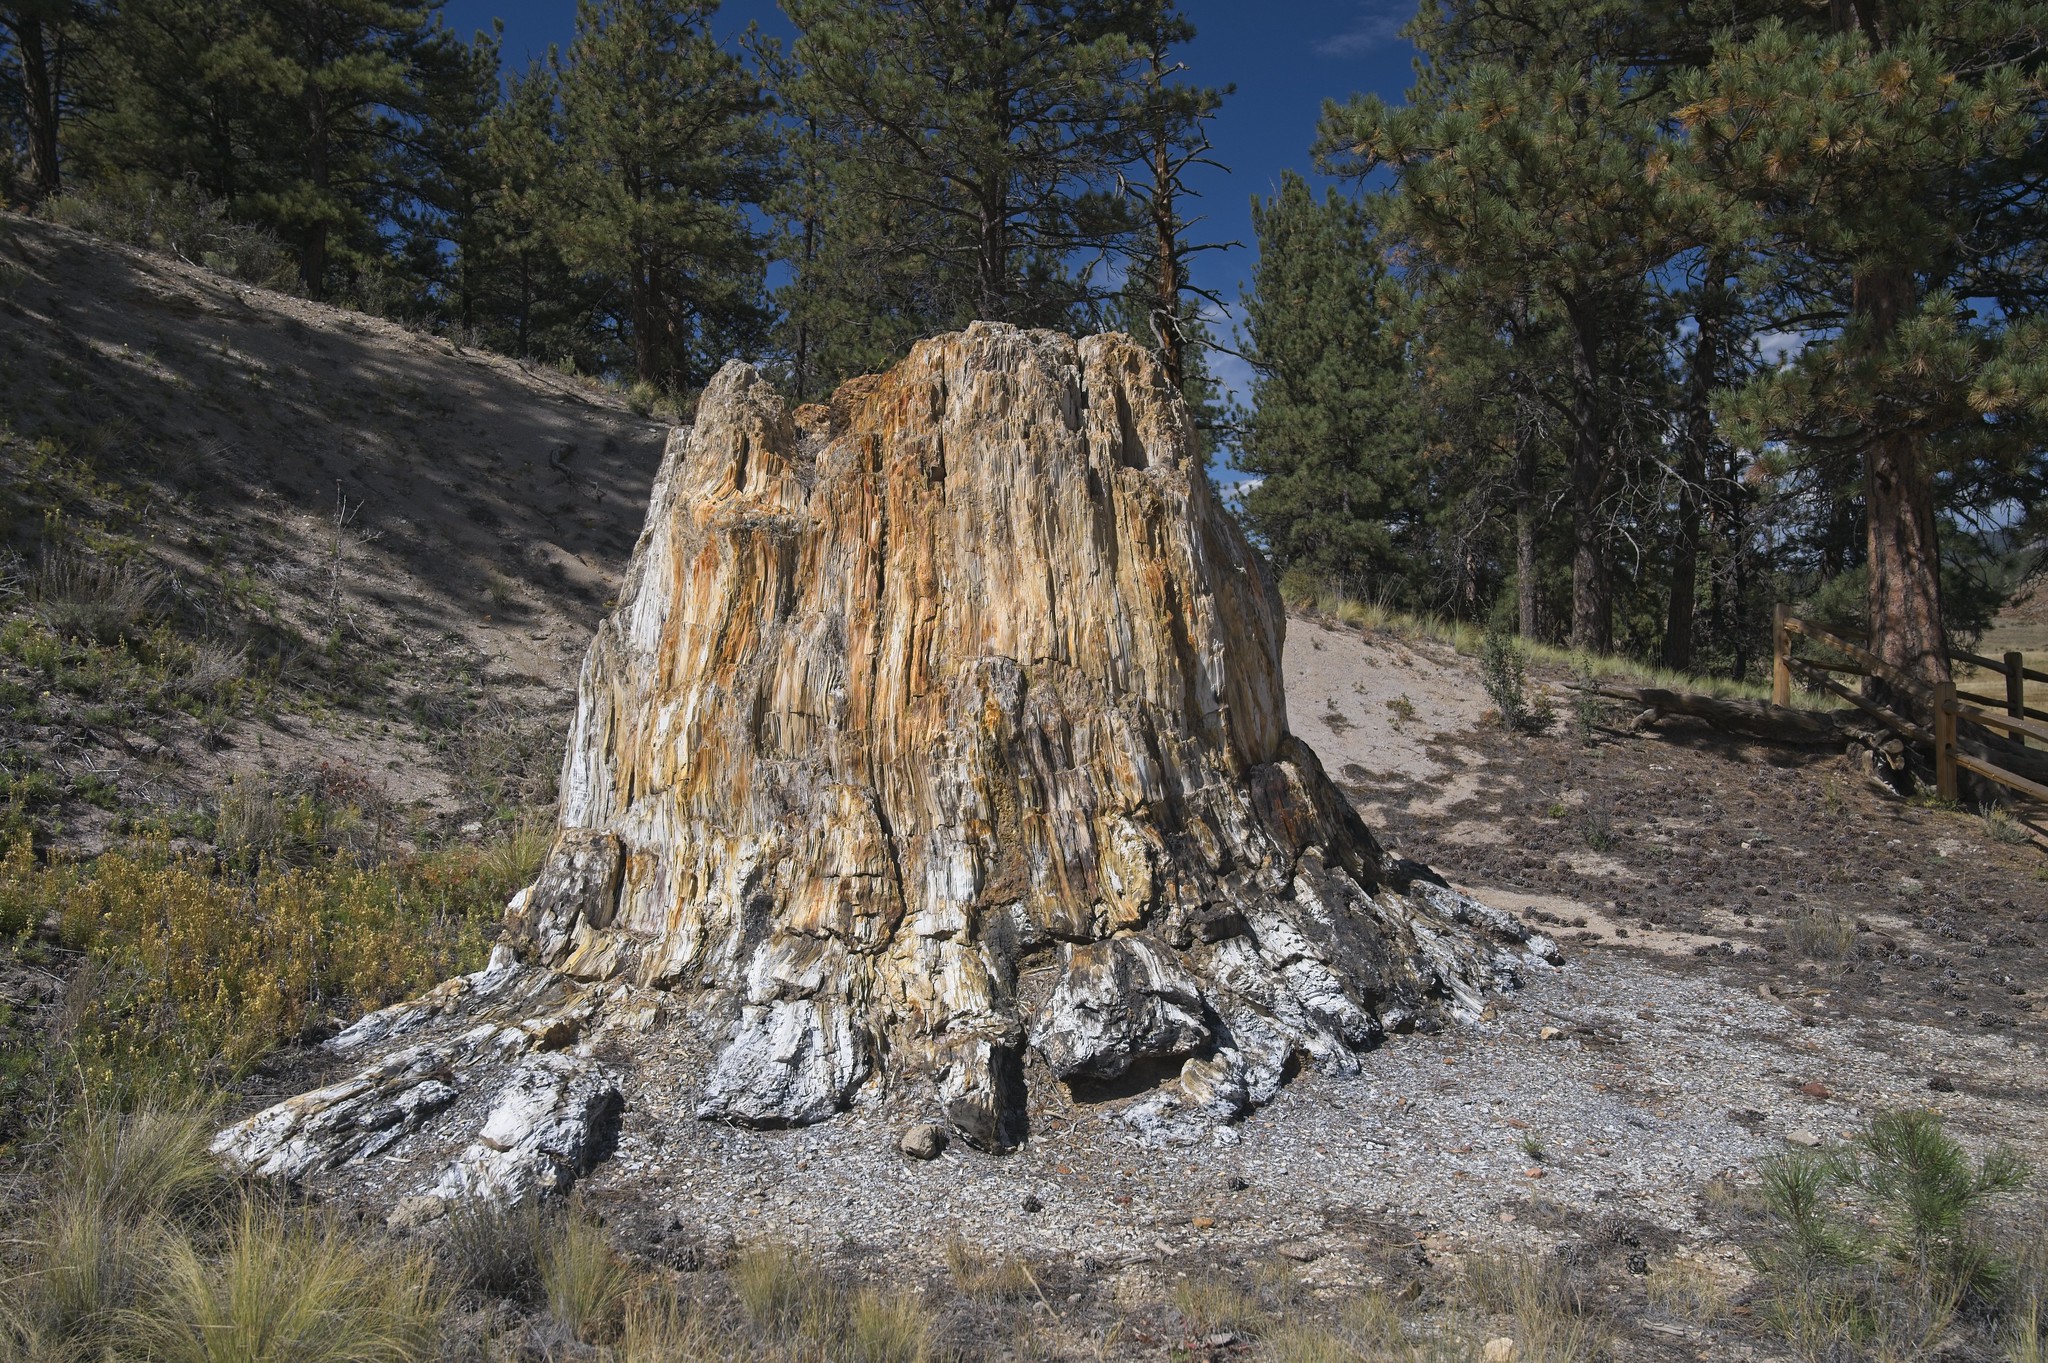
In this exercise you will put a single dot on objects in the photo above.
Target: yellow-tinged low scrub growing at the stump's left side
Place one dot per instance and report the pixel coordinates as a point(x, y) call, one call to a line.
point(187, 967)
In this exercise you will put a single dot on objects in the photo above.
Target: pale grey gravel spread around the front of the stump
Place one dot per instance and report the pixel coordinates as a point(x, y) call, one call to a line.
point(1650, 1086)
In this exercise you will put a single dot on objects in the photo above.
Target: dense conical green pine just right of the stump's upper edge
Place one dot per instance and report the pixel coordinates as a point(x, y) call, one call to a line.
point(1332, 429)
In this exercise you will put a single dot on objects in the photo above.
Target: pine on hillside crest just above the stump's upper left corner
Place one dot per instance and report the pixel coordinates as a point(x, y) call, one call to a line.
point(663, 152)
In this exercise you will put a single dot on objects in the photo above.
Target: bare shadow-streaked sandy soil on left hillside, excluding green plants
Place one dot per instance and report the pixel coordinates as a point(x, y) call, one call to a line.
point(486, 507)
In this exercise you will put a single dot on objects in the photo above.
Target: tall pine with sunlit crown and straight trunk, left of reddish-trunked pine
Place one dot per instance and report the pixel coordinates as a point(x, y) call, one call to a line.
point(1529, 181)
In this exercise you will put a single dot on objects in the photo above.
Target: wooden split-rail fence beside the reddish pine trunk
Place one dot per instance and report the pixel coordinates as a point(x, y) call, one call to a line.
point(1951, 707)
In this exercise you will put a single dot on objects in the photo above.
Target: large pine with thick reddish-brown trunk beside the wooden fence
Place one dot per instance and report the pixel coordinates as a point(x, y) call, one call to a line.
point(1889, 175)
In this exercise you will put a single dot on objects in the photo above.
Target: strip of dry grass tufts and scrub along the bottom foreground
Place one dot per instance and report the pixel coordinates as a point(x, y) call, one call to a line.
point(134, 1245)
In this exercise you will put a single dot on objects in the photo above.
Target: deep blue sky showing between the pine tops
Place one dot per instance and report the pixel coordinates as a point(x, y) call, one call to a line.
point(1285, 58)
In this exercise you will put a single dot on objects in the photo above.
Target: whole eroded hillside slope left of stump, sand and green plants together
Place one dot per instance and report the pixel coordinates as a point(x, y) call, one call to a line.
point(247, 533)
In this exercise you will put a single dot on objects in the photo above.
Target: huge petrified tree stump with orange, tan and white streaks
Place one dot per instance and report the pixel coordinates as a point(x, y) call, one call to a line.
point(937, 732)
